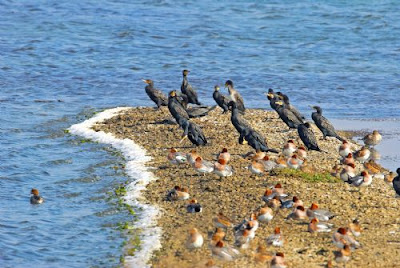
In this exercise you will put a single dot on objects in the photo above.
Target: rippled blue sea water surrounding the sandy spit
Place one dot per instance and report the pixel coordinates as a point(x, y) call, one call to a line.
point(62, 60)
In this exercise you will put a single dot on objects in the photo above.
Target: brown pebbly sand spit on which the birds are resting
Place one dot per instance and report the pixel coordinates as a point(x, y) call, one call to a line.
point(239, 195)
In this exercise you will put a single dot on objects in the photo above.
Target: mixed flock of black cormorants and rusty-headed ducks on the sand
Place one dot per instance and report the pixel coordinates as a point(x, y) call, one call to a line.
point(275, 198)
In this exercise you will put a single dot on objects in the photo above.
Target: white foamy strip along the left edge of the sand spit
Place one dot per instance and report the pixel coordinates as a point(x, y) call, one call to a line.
point(135, 167)
